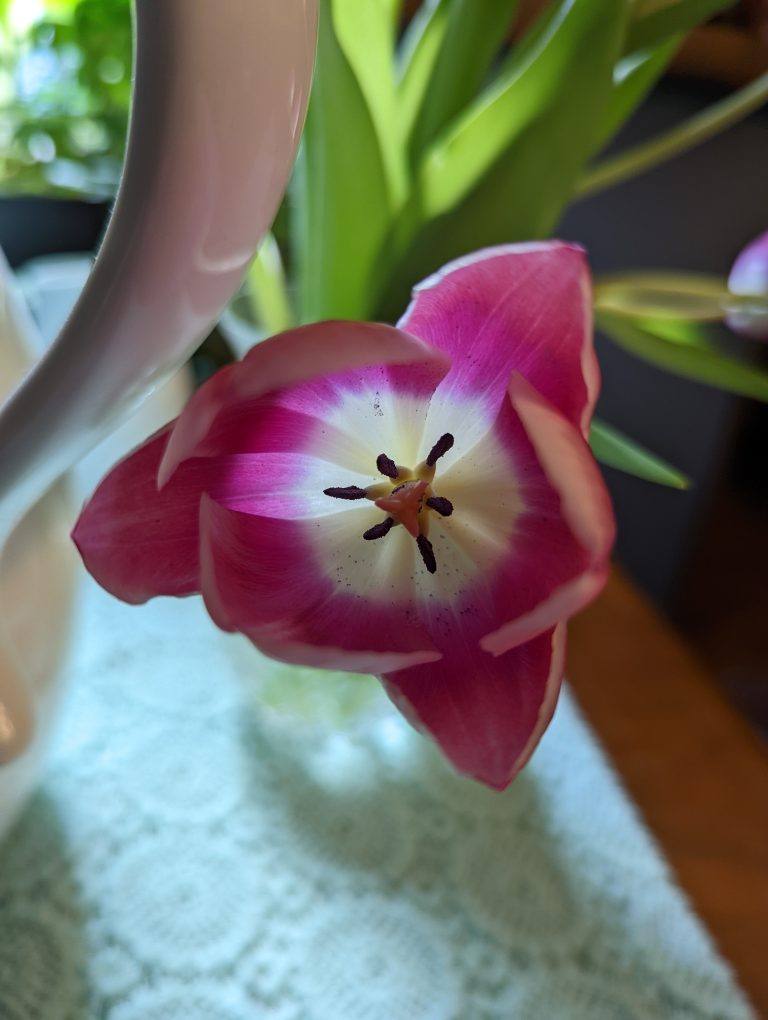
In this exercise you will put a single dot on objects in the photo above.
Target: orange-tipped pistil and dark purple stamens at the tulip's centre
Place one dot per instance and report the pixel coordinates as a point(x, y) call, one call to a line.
point(406, 498)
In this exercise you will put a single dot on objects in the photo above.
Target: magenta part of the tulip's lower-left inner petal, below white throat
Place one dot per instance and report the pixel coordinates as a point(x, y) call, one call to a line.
point(261, 576)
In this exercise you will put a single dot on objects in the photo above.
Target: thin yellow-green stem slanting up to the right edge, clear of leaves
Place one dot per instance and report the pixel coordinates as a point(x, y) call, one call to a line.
point(691, 133)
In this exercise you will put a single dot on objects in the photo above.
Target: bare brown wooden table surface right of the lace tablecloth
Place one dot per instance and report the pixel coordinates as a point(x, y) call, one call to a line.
point(695, 768)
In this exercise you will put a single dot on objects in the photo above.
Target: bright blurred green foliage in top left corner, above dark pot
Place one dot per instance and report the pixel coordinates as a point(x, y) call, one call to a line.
point(65, 95)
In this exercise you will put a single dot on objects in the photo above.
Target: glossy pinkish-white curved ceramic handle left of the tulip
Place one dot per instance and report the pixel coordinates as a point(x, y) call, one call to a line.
point(221, 92)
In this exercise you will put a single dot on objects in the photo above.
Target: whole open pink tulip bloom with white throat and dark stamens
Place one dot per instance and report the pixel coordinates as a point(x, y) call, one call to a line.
point(420, 502)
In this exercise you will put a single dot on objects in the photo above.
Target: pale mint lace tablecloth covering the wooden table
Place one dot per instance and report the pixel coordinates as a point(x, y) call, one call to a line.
point(194, 857)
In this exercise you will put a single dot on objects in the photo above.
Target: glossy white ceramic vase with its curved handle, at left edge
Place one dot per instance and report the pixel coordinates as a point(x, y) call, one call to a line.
point(220, 97)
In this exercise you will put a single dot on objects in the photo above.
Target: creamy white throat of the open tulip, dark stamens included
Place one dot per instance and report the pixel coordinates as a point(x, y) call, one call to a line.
point(385, 530)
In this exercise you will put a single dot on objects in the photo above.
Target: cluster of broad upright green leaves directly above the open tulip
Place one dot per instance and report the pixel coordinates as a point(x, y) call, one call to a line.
point(456, 134)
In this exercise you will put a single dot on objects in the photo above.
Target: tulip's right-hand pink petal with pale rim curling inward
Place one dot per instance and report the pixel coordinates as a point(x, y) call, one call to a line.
point(559, 555)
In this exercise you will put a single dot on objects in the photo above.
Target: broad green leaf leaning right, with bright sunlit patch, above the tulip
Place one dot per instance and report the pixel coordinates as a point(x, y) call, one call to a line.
point(506, 168)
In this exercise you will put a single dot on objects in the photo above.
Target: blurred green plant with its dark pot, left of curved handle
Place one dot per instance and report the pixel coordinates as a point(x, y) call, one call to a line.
point(66, 85)
